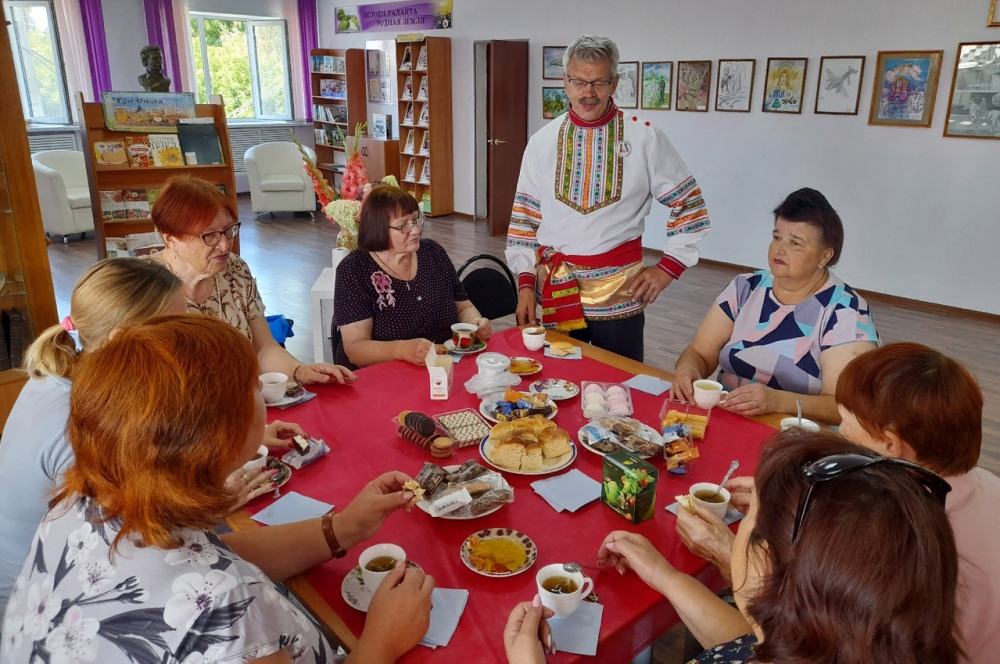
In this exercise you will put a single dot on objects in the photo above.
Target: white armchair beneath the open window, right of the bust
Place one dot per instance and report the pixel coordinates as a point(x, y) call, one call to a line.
point(278, 181)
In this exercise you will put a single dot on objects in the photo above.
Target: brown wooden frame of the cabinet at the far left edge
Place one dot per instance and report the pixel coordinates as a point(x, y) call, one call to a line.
point(24, 260)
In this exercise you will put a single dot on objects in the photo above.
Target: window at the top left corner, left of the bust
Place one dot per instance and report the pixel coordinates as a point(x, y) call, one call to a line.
point(37, 60)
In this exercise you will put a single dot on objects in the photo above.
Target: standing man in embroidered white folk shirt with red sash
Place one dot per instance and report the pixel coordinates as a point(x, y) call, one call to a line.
point(588, 180)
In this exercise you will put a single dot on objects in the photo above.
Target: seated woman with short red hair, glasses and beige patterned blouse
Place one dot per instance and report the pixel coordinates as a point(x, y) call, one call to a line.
point(198, 223)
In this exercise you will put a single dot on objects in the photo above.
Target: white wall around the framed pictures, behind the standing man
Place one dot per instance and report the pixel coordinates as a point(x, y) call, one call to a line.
point(920, 211)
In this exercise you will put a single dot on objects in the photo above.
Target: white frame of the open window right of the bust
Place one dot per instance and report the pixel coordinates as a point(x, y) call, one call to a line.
point(252, 22)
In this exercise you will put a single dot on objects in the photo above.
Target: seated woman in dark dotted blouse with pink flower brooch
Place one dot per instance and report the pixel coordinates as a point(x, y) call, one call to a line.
point(396, 295)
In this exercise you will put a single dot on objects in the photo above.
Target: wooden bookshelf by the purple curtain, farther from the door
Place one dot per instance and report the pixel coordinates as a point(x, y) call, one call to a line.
point(347, 112)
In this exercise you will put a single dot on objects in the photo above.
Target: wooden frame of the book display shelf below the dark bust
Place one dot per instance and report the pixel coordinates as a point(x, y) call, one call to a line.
point(104, 177)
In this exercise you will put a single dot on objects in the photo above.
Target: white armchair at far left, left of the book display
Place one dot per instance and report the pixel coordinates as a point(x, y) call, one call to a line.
point(63, 192)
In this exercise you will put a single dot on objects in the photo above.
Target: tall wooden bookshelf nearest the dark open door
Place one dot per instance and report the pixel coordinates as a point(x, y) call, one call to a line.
point(434, 133)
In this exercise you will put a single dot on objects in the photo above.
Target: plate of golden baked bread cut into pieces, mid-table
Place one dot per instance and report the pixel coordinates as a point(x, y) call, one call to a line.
point(528, 446)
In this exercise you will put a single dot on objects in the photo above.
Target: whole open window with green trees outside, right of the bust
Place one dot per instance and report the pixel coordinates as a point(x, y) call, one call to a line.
point(246, 61)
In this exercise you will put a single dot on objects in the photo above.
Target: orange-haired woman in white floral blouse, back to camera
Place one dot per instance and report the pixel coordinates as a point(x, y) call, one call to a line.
point(125, 566)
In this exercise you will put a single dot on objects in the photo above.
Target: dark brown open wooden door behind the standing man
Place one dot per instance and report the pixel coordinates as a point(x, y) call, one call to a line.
point(507, 126)
